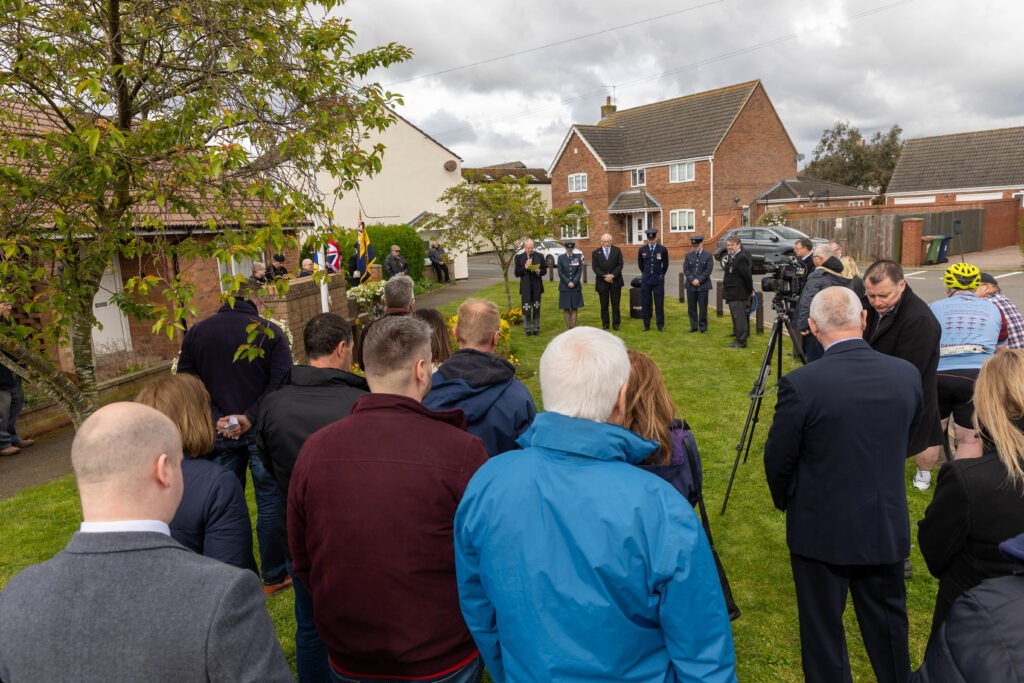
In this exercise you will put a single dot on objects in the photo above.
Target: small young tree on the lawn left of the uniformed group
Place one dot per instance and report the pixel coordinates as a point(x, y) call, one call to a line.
point(501, 215)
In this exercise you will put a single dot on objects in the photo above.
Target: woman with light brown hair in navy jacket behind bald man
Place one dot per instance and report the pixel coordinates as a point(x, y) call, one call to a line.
point(212, 519)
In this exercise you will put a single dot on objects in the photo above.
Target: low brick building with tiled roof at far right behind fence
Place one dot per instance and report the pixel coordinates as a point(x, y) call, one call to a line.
point(982, 170)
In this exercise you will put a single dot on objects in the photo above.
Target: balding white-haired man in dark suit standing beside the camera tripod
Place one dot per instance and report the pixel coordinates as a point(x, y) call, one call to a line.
point(835, 463)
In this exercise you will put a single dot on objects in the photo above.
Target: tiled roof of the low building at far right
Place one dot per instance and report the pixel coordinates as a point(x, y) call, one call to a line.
point(983, 159)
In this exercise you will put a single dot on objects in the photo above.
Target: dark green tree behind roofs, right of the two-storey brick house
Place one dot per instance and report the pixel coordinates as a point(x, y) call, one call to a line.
point(845, 156)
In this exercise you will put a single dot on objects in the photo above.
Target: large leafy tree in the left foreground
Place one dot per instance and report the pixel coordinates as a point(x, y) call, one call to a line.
point(118, 116)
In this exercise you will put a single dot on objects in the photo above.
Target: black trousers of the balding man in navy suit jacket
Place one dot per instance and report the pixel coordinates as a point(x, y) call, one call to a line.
point(880, 603)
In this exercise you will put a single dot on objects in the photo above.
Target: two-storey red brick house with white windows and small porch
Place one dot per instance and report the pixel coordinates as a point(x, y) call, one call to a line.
point(688, 166)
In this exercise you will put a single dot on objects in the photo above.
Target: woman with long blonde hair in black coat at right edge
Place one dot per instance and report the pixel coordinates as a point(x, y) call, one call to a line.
point(979, 502)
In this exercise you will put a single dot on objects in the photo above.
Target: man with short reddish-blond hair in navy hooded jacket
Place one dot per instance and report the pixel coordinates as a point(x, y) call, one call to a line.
point(498, 407)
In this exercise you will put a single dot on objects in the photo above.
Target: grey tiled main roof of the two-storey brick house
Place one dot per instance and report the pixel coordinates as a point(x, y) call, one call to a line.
point(682, 129)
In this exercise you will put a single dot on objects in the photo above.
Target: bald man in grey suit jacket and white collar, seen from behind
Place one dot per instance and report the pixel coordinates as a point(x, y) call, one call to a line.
point(123, 602)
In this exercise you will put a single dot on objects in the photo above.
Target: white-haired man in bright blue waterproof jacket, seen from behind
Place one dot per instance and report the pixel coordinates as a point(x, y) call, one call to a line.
point(574, 565)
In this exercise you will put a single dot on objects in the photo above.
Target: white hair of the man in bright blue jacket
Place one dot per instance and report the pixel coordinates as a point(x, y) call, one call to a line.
point(582, 373)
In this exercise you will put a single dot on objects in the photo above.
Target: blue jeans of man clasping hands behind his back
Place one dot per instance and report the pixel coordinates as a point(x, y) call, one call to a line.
point(234, 455)
